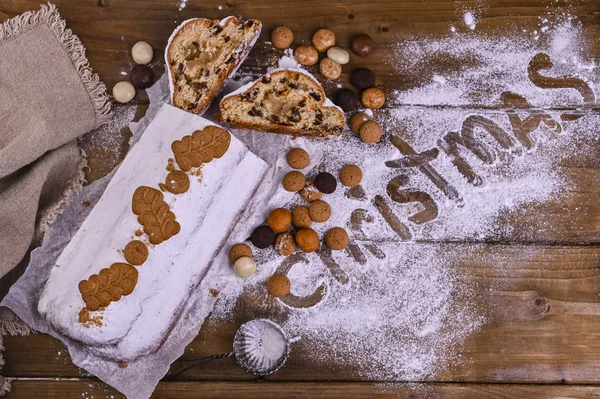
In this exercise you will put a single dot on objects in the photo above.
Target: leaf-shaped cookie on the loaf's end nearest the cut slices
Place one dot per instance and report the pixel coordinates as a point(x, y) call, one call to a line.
point(201, 147)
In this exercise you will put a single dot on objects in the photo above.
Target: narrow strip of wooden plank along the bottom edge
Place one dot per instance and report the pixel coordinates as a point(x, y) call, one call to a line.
point(331, 390)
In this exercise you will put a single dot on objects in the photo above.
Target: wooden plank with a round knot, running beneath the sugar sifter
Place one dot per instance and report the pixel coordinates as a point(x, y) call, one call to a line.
point(541, 304)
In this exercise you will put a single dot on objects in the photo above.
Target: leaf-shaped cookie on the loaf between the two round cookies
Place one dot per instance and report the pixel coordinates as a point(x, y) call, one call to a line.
point(154, 214)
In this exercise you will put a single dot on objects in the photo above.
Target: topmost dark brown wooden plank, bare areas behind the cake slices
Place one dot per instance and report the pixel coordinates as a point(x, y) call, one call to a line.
point(109, 28)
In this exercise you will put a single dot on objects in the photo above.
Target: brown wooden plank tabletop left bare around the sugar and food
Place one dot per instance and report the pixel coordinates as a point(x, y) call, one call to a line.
point(542, 337)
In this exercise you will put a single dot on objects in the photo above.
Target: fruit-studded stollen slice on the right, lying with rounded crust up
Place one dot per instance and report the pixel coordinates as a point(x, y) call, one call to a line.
point(285, 101)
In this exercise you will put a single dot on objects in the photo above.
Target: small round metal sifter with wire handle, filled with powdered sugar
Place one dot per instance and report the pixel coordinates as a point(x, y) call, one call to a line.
point(260, 347)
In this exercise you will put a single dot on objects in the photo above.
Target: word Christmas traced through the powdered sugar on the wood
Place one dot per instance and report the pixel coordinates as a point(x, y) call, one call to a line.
point(524, 120)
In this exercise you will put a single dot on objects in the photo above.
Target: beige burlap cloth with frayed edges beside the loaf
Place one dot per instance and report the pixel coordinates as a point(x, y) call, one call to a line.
point(49, 96)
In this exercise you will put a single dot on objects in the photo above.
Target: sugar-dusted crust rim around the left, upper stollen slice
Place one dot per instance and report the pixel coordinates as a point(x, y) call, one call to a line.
point(223, 75)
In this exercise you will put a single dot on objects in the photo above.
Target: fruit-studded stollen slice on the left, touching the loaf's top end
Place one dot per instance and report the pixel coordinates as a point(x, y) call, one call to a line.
point(202, 54)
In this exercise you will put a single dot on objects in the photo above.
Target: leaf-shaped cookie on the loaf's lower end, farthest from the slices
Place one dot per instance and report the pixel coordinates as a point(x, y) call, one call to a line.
point(109, 285)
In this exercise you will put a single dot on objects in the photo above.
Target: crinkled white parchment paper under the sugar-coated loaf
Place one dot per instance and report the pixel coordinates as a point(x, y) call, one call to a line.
point(139, 379)
